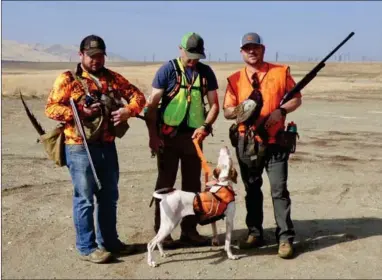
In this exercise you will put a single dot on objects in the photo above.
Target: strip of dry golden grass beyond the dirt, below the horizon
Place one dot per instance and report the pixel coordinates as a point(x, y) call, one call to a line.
point(337, 81)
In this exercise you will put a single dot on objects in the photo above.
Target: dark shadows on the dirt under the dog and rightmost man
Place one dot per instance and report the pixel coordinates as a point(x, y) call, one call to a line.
point(312, 235)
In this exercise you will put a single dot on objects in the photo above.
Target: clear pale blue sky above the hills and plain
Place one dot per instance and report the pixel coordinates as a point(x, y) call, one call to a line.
point(137, 29)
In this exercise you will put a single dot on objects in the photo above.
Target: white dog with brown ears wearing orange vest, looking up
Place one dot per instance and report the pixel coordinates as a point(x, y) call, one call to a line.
point(211, 205)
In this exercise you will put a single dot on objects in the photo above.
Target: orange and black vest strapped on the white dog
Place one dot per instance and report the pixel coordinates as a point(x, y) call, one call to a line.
point(210, 206)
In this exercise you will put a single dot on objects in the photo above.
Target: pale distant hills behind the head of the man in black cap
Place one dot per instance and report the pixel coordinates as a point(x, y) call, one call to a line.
point(12, 50)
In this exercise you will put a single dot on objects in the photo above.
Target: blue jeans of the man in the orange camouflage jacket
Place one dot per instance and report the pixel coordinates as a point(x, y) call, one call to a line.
point(105, 159)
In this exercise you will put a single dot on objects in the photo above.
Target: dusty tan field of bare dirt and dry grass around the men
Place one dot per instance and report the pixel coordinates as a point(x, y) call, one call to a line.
point(335, 183)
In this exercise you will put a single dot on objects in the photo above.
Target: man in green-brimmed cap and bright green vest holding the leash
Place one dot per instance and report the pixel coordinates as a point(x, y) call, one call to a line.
point(176, 115)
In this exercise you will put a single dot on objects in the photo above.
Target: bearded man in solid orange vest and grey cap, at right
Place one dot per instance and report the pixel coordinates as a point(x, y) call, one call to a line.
point(270, 82)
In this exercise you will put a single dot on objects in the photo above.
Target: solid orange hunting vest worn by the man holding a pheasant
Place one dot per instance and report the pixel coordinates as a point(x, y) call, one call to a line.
point(272, 88)
